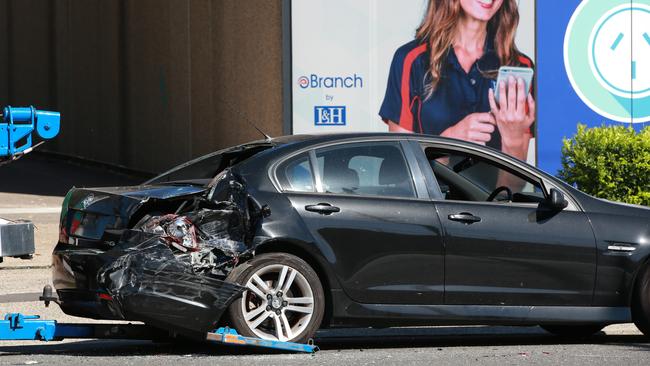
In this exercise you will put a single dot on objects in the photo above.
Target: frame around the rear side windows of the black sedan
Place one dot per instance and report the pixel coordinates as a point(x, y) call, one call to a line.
point(412, 164)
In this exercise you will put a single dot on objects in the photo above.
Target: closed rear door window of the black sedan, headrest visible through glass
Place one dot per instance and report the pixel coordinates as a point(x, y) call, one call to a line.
point(376, 169)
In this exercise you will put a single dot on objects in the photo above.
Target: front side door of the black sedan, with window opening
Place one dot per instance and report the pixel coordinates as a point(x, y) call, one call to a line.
point(508, 252)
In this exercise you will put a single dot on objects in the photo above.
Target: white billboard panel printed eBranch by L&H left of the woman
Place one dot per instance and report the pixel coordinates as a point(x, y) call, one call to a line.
point(341, 53)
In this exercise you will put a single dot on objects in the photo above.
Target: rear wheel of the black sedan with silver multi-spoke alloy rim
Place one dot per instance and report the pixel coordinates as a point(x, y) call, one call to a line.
point(283, 300)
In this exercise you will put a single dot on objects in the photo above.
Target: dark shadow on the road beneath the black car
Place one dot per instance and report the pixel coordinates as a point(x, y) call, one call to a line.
point(339, 340)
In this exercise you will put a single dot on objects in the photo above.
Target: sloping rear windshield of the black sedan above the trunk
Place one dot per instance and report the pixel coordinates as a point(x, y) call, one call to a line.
point(204, 168)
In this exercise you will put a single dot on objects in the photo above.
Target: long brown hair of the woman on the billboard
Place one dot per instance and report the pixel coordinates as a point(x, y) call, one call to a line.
point(438, 30)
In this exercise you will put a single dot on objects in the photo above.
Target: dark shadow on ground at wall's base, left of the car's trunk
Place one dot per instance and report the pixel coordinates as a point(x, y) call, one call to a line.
point(42, 174)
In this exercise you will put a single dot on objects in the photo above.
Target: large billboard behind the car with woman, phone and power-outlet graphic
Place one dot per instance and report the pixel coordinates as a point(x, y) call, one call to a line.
point(348, 60)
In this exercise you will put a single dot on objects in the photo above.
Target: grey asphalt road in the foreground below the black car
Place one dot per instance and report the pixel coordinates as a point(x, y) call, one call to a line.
point(430, 346)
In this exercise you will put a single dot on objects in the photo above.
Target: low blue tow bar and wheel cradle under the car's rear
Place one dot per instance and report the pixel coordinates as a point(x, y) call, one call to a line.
point(19, 327)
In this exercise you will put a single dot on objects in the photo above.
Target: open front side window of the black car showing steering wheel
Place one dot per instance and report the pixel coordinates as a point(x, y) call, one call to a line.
point(467, 177)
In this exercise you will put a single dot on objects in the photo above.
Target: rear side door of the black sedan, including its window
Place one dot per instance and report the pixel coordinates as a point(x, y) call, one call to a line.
point(373, 222)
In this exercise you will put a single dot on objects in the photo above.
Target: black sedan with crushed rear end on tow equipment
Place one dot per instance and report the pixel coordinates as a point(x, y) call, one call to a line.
point(277, 238)
